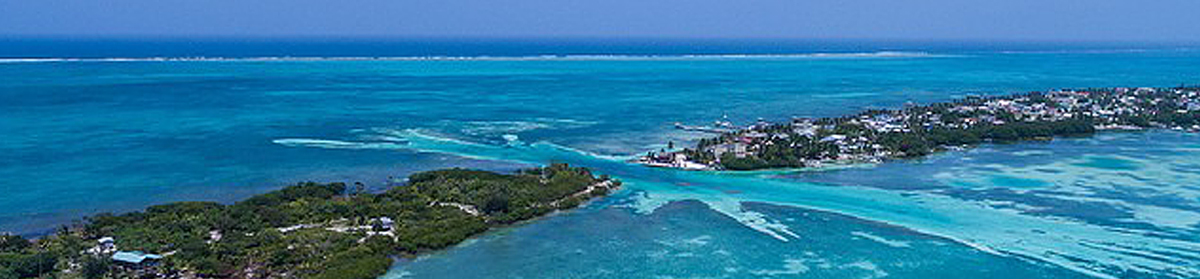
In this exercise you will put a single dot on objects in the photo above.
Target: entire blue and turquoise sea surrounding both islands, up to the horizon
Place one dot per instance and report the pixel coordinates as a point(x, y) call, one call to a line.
point(116, 126)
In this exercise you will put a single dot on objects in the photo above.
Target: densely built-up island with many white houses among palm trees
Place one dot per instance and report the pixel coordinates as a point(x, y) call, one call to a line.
point(913, 132)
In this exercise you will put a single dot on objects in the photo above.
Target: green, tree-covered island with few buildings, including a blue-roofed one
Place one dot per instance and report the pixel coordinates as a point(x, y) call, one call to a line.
point(308, 230)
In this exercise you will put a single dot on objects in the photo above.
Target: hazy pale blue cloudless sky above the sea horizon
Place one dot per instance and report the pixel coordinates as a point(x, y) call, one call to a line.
point(886, 20)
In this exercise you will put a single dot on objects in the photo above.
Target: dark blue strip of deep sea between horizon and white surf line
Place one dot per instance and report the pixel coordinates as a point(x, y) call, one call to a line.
point(383, 48)
